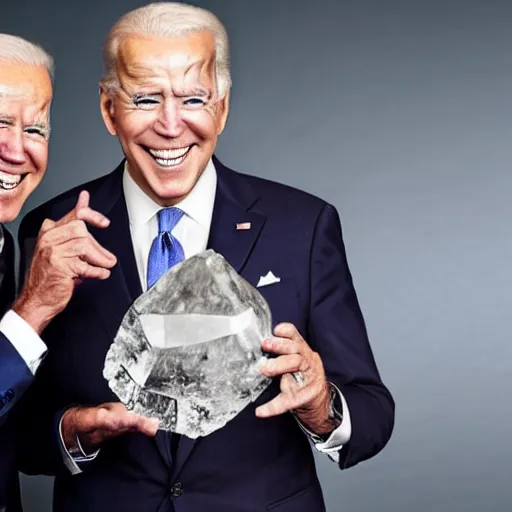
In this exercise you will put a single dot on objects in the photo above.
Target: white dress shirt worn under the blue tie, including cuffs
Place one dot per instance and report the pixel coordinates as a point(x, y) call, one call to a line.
point(192, 231)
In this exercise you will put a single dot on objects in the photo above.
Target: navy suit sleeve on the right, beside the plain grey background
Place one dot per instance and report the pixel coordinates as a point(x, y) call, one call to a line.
point(337, 332)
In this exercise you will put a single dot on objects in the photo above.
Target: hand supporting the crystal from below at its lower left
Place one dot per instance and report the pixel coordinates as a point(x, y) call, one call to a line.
point(94, 425)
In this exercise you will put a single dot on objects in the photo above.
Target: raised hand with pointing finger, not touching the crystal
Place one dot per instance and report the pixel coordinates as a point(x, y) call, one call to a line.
point(65, 253)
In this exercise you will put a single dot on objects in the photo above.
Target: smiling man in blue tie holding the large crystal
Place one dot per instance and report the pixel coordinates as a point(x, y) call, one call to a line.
point(165, 95)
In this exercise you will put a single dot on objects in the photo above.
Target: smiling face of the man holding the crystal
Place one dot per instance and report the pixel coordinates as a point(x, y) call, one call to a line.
point(166, 111)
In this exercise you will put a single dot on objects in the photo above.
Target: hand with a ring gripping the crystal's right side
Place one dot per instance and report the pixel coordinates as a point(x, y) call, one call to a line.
point(309, 400)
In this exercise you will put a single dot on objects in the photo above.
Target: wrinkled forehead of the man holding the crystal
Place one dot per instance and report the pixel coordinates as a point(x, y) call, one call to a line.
point(141, 57)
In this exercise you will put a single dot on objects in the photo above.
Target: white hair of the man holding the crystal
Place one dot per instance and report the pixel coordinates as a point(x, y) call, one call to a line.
point(167, 19)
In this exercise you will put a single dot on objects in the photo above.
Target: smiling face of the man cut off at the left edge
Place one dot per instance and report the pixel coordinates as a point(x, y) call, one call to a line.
point(25, 99)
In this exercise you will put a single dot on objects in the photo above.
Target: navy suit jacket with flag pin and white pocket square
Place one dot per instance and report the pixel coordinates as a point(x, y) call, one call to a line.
point(251, 464)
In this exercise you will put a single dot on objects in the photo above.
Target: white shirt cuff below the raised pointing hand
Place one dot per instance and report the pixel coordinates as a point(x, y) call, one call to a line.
point(24, 339)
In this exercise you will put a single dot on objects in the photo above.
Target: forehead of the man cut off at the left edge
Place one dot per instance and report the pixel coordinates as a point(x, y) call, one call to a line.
point(31, 85)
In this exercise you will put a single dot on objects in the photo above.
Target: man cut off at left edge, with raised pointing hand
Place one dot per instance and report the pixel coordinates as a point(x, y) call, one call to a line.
point(64, 249)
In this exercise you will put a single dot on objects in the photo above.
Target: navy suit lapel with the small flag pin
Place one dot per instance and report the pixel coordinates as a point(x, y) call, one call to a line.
point(233, 199)
